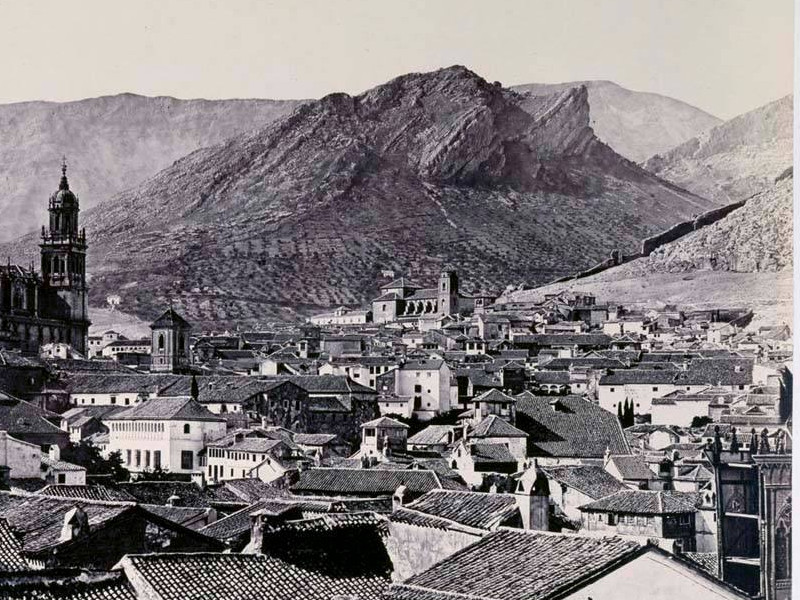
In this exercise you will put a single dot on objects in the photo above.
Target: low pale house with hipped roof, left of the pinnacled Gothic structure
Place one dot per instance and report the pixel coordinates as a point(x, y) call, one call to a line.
point(666, 517)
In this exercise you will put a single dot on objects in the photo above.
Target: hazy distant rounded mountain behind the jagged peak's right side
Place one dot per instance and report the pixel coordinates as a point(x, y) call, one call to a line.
point(635, 124)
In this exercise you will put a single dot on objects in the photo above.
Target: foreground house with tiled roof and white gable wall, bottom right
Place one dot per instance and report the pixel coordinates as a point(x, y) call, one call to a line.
point(509, 564)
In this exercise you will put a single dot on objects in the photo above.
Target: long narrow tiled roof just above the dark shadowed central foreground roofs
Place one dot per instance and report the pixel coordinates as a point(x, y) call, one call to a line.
point(365, 481)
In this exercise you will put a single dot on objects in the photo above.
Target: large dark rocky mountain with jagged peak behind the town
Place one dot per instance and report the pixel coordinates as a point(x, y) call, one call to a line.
point(426, 171)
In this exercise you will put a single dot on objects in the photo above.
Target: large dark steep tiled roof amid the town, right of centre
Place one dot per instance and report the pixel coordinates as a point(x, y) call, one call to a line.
point(572, 427)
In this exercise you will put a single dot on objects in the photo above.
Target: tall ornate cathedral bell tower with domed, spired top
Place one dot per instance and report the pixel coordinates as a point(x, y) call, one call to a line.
point(63, 251)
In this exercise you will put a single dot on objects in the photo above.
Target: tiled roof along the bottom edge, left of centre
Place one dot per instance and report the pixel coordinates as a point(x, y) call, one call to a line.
point(244, 577)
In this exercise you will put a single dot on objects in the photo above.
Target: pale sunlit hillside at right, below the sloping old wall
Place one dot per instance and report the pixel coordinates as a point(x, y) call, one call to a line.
point(745, 259)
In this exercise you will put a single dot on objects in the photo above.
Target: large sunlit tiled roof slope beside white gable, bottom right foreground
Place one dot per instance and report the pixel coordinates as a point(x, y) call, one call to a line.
point(513, 564)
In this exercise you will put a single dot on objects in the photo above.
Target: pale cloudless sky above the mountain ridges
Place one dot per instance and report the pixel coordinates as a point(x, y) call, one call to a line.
point(724, 56)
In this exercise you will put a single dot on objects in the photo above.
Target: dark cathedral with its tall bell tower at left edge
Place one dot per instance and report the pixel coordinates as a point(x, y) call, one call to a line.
point(50, 305)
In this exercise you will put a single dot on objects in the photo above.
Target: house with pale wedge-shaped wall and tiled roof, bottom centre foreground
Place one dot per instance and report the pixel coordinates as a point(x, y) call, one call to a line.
point(441, 522)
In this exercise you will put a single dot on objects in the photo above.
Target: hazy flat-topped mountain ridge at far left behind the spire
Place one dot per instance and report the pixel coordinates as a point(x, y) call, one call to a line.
point(111, 143)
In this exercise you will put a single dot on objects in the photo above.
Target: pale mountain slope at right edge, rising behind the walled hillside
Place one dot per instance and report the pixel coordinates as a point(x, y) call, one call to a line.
point(734, 160)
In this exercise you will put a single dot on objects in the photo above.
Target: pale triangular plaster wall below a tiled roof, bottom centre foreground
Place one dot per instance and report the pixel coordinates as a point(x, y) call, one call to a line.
point(414, 549)
